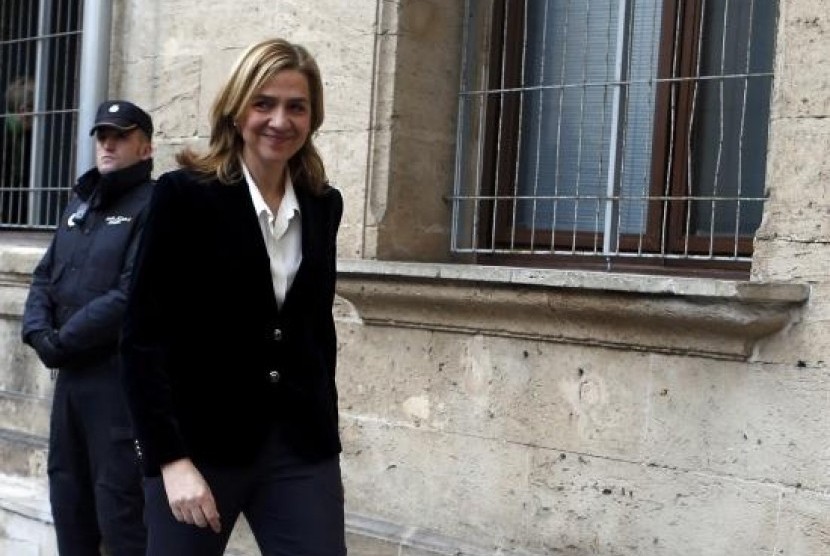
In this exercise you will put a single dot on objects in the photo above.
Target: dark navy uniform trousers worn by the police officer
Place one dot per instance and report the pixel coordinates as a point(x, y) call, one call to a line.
point(94, 477)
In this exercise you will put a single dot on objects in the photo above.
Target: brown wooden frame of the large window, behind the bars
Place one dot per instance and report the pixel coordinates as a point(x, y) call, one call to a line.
point(668, 215)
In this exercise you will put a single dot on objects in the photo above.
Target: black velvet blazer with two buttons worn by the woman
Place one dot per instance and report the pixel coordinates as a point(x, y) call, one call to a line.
point(210, 362)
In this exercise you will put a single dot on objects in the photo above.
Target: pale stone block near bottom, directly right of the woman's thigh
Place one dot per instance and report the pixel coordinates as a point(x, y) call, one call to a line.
point(477, 494)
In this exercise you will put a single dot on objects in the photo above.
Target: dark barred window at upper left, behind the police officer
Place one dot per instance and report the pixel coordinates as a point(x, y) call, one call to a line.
point(39, 63)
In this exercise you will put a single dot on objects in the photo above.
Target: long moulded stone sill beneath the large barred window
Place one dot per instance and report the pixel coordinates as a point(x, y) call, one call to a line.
point(722, 319)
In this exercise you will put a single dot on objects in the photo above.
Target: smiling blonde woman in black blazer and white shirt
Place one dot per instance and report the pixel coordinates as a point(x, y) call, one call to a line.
point(229, 343)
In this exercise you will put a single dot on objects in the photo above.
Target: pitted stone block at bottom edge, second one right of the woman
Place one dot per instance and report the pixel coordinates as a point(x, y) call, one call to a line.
point(580, 504)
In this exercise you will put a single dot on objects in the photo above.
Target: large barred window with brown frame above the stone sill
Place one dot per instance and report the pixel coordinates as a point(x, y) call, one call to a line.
point(615, 134)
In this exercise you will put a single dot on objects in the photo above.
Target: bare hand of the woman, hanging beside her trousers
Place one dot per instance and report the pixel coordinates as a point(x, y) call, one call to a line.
point(189, 495)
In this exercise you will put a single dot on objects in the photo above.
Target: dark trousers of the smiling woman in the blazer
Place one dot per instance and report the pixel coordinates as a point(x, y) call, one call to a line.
point(294, 508)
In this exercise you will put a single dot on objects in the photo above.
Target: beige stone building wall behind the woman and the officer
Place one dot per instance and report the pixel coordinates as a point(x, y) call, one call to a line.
point(513, 411)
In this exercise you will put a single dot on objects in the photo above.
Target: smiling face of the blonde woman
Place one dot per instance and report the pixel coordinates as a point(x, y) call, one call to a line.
point(277, 122)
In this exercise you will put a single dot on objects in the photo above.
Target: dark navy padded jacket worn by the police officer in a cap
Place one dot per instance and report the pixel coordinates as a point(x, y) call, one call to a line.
point(80, 285)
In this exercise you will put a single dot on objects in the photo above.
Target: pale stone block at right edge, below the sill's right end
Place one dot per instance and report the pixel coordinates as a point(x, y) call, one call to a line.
point(727, 418)
